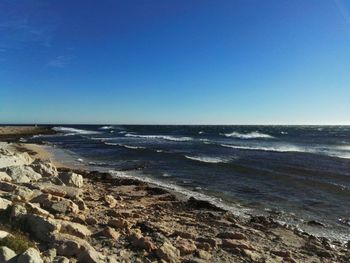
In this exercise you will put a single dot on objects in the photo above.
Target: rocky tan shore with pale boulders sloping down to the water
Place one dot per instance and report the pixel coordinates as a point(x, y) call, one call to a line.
point(50, 214)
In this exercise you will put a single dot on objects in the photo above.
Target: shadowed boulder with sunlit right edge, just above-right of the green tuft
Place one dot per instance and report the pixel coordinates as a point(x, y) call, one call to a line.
point(41, 228)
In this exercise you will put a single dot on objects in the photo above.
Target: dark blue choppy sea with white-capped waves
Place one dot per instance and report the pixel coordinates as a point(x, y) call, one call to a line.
point(293, 173)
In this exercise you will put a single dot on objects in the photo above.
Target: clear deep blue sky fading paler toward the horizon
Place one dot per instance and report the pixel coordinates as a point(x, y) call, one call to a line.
point(175, 62)
